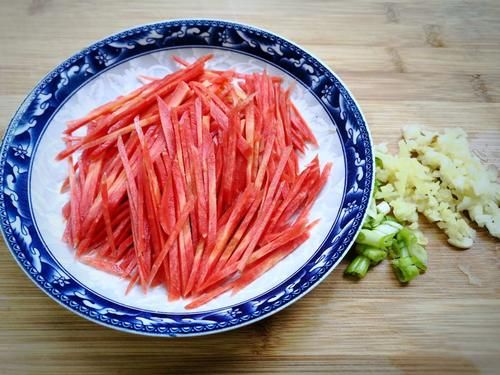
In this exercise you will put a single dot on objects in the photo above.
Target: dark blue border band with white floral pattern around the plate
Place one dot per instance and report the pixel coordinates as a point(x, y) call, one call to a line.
point(34, 114)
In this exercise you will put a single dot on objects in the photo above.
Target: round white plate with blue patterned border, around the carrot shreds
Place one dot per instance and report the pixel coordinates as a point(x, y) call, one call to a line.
point(30, 178)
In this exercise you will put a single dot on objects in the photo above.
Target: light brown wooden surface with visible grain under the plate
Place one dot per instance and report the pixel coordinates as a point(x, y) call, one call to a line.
point(432, 62)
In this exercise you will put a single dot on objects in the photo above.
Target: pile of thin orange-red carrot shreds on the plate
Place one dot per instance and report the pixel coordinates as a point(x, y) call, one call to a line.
point(191, 181)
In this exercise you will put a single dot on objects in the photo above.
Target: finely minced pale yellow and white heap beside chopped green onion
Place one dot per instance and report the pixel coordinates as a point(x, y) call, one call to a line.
point(437, 175)
